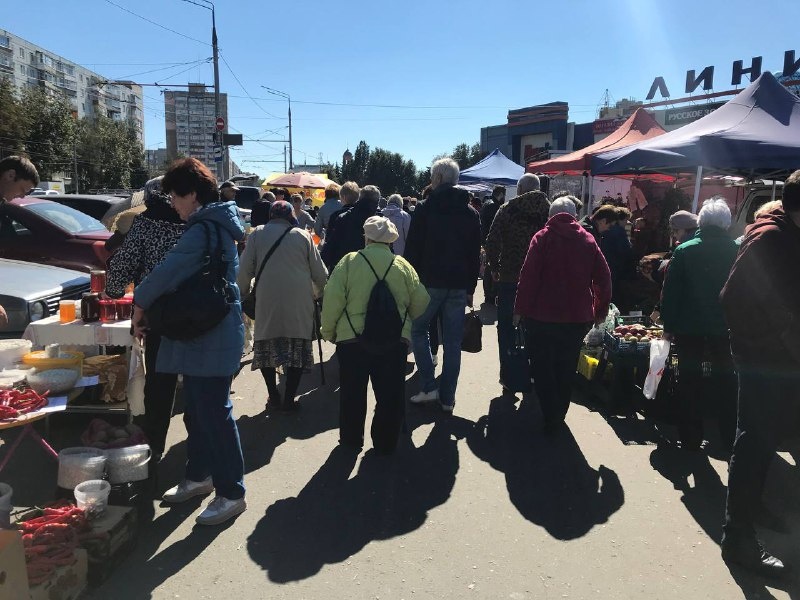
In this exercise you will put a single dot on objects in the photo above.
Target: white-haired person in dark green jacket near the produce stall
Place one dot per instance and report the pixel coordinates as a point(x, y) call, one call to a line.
point(694, 320)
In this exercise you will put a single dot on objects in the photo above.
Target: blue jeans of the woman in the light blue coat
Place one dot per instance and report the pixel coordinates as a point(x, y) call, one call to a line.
point(213, 446)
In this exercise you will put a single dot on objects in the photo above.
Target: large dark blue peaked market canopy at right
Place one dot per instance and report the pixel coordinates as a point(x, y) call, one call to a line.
point(755, 133)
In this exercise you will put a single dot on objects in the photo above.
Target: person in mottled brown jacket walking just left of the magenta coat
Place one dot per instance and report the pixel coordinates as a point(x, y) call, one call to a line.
point(506, 247)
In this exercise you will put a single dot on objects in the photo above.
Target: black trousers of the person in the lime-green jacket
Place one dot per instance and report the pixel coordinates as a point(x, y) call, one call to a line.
point(388, 375)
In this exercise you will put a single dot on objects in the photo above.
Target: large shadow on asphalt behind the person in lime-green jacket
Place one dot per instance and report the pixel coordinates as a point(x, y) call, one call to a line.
point(335, 515)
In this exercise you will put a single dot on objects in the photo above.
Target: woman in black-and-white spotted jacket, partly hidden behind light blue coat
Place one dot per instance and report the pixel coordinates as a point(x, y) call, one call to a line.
point(151, 236)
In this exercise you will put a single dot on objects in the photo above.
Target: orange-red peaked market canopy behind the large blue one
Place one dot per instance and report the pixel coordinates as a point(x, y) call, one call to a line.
point(639, 126)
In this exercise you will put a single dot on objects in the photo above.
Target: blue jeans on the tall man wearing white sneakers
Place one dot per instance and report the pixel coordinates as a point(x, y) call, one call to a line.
point(452, 304)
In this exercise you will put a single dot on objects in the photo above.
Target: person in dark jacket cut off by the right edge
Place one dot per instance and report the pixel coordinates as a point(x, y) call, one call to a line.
point(761, 307)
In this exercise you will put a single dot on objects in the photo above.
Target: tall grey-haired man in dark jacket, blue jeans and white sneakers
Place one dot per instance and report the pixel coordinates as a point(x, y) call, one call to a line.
point(443, 245)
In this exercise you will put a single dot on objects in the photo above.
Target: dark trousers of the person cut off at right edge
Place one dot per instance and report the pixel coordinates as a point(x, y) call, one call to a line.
point(769, 412)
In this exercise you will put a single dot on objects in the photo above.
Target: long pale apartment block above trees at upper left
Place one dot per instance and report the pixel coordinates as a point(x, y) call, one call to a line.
point(27, 65)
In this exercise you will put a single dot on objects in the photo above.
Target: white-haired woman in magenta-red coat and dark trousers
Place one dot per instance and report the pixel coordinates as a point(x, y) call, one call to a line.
point(564, 287)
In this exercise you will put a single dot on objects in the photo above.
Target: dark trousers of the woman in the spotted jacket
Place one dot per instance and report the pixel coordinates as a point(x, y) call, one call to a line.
point(159, 396)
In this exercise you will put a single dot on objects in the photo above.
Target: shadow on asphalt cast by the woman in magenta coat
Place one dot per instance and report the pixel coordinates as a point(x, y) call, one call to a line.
point(548, 478)
